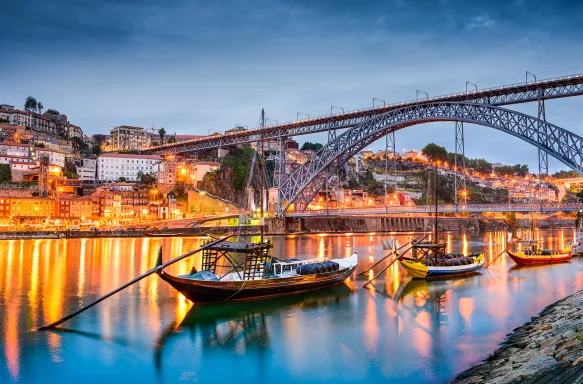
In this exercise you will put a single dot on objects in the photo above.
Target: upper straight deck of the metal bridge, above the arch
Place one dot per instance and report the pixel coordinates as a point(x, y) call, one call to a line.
point(561, 87)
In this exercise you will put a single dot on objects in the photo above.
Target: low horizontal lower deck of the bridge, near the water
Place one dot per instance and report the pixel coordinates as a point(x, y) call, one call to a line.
point(446, 208)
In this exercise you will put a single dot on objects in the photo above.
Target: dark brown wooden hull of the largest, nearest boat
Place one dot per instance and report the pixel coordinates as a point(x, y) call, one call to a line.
point(199, 291)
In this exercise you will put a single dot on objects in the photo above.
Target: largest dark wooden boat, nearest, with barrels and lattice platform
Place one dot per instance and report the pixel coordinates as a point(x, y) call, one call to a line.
point(252, 273)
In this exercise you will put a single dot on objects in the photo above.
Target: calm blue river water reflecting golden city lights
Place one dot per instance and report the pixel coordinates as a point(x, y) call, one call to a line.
point(398, 330)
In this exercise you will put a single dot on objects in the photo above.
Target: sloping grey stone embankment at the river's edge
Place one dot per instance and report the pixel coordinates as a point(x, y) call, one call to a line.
point(549, 349)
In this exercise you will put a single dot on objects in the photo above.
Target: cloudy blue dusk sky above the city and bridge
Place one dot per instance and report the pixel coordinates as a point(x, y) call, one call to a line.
point(194, 66)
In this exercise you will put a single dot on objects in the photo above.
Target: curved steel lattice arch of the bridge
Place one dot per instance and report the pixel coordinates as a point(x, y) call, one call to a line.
point(304, 183)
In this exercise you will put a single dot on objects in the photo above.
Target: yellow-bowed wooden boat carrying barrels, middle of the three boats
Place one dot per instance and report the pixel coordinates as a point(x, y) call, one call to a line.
point(430, 261)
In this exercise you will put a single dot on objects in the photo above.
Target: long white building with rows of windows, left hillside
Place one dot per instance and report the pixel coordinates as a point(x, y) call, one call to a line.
point(112, 166)
